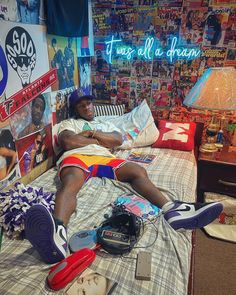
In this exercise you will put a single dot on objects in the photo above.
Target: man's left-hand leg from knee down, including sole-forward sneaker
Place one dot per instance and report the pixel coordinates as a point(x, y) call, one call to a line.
point(46, 233)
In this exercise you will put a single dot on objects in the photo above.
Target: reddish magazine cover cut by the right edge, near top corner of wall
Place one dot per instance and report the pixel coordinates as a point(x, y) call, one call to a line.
point(230, 31)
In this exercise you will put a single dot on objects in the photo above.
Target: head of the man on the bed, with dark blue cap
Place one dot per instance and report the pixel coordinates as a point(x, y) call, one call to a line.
point(82, 105)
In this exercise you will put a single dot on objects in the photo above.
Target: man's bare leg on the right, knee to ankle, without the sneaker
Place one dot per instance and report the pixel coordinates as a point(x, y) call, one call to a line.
point(137, 176)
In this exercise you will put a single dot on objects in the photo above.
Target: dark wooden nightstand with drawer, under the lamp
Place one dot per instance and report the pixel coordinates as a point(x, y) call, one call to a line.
point(217, 173)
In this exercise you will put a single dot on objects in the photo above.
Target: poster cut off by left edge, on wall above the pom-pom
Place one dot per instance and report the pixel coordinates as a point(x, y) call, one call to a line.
point(9, 168)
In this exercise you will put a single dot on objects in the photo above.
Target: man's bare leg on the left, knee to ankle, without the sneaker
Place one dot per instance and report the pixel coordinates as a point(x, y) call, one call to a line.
point(72, 179)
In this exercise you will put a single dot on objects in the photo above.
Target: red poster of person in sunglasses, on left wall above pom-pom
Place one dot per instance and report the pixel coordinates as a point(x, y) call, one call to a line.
point(34, 149)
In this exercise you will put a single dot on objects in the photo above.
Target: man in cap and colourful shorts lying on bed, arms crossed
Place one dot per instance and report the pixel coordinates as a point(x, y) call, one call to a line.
point(87, 154)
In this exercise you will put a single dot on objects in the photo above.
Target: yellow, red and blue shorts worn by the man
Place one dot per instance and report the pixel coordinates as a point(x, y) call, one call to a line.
point(93, 166)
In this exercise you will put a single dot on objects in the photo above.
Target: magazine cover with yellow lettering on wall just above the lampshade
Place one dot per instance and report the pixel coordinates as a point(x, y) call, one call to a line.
point(211, 57)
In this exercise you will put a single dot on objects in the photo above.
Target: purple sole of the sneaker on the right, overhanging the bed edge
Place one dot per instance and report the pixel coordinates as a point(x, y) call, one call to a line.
point(200, 220)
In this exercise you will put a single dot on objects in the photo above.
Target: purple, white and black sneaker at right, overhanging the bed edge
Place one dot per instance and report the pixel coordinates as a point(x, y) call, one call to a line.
point(192, 215)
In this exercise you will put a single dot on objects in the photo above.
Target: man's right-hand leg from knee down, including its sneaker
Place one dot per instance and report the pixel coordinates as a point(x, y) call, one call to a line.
point(178, 214)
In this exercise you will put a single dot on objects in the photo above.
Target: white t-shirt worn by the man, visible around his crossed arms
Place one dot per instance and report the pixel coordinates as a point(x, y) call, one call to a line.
point(79, 125)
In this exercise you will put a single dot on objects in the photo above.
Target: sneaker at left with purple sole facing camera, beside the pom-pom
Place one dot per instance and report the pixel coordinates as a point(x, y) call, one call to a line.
point(46, 236)
